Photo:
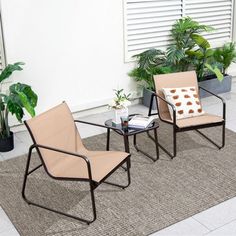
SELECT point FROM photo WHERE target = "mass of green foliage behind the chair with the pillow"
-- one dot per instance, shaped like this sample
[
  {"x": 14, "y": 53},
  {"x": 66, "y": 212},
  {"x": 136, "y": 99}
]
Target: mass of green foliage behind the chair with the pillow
[{"x": 189, "y": 51}]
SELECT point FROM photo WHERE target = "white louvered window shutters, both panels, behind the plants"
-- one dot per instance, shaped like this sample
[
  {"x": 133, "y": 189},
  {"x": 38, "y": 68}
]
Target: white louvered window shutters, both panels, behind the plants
[{"x": 147, "y": 23}]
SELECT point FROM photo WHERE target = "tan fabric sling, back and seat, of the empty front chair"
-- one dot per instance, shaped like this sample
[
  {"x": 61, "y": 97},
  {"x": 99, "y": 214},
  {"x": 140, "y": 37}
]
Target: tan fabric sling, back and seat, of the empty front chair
[{"x": 56, "y": 128}]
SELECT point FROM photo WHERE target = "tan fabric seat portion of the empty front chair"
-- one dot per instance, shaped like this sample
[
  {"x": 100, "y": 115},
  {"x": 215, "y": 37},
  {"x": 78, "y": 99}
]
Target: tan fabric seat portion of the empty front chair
[{"x": 102, "y": 163}]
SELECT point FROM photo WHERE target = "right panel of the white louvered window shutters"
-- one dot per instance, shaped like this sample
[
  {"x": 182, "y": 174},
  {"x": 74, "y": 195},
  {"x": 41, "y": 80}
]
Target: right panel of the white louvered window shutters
[{"x": 215, "y": 13}]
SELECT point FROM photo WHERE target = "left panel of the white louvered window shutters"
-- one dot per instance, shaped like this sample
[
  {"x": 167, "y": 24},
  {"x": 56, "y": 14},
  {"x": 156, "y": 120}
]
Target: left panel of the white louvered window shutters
[{"x": 147, "y": 24}]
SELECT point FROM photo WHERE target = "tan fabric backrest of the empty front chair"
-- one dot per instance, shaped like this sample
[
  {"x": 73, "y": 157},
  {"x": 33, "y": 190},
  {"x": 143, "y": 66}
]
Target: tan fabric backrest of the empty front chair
[{"x": 55, "y": 128}]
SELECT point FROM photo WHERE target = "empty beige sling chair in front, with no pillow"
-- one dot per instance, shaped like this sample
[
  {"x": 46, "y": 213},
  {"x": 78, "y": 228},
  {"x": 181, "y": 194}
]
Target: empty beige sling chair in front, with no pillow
[{"x": 64, "y": 157}]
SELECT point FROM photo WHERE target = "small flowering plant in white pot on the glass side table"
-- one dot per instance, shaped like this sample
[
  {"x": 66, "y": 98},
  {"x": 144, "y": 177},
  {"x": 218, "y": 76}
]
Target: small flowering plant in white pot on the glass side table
[{"x": 120, "y": 105}]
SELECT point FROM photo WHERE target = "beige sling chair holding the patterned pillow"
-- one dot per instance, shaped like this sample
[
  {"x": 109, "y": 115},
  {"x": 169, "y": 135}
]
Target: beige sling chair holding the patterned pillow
[{"x": 178, "y": 80}]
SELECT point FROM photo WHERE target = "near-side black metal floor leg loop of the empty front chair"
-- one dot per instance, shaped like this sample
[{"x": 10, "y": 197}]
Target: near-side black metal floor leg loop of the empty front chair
[{"x": 92, "y": 187}]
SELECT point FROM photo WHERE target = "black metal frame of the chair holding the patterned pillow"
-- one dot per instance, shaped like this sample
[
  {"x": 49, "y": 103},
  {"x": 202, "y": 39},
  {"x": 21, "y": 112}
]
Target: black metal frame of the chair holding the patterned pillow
[{"x": 177, "y": 129}]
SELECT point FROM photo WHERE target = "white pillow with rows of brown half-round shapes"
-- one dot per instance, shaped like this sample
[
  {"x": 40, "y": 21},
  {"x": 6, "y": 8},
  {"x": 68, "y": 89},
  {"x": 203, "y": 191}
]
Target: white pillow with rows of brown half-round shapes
[{"x": 185, "y": 100}]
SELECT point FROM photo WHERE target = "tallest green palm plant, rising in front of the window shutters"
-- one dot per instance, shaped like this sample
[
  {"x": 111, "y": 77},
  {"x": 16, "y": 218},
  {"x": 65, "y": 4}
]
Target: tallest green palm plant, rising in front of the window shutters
[{"x": 184, "y": 34}]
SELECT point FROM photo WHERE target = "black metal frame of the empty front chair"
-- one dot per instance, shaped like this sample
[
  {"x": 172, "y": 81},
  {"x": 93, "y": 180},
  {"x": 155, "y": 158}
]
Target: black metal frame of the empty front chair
[{"x": 93, "y": 184}]
